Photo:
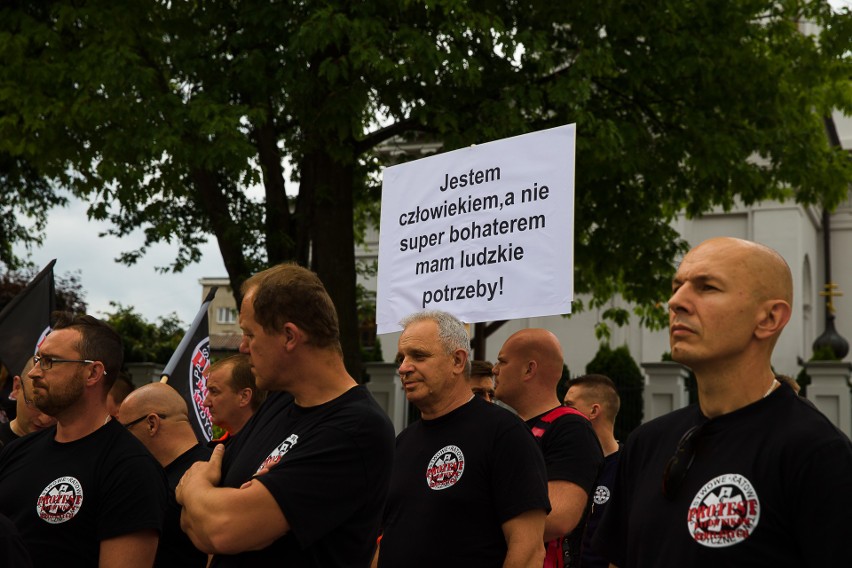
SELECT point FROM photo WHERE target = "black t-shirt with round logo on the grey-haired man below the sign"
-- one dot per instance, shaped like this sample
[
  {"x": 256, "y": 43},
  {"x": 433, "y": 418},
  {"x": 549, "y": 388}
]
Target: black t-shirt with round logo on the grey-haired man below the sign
[{"x": 456, "y": 480}]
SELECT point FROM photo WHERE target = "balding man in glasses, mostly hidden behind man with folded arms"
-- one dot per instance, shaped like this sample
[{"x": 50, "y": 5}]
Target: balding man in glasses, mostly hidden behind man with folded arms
[{"x": 157, "y": 415}]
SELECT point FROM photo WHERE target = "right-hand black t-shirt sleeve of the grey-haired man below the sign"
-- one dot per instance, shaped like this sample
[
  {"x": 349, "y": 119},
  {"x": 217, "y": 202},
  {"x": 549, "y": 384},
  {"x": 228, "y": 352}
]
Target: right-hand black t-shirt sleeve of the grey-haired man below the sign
[{"x": 519, "y": 477}]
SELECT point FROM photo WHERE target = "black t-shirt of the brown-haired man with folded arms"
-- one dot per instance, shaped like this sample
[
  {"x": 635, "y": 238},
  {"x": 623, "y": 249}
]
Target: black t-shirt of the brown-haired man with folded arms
[{"x": 330, "y": 466}]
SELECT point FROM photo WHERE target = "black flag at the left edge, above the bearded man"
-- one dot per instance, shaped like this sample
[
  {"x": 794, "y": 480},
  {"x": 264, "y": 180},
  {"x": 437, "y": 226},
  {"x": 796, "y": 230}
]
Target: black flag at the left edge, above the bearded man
[{"x": 25, "y": 320}]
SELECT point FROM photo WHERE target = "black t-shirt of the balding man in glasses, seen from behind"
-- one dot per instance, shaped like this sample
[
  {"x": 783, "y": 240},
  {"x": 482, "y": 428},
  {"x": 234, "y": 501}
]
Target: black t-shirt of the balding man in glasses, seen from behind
[{"x": 176, "y": 549}]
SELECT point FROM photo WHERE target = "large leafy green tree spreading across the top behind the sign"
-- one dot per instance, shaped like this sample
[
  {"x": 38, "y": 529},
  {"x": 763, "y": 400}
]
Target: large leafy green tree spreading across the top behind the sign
[{"x": 172, "y": 109}]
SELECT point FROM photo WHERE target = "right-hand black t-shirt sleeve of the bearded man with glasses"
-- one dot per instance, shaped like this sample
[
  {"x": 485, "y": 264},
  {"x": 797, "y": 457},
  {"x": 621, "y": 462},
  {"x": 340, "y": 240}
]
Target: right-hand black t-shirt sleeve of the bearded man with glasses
[{"x": 133, "y": 497}]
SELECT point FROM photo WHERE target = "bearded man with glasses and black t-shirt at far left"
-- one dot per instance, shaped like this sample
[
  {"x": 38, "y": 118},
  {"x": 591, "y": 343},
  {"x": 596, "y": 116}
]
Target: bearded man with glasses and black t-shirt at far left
[{"x": 83, "y": 491}]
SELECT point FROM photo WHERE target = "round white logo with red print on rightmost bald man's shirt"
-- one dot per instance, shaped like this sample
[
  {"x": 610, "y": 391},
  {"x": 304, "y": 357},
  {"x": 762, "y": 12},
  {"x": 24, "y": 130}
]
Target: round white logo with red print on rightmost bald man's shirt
[{"x": 724, "y": 512}]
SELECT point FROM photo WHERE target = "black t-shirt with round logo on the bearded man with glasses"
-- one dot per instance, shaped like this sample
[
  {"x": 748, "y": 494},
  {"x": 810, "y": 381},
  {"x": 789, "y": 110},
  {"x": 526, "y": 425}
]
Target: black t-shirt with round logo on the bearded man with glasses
[{"x": 67, "y": 497}]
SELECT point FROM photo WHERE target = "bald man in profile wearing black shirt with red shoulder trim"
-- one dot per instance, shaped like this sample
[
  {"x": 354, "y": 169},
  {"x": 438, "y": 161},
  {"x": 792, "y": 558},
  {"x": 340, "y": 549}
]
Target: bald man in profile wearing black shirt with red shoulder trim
[{"x": 526, "y": 373}]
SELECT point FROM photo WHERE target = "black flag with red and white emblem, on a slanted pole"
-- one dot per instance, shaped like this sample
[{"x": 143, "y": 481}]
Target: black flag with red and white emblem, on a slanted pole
[{"x": 187, "y": 371}]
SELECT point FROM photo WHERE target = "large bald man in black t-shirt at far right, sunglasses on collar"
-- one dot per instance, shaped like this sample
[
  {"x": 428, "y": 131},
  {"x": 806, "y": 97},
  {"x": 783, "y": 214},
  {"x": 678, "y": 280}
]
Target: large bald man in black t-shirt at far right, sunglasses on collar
[{"x": 752, "y": 475}]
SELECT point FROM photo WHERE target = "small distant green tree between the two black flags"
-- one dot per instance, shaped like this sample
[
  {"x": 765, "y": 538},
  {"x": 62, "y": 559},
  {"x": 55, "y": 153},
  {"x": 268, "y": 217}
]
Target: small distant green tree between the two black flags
[{"x": 145, "y": 341}]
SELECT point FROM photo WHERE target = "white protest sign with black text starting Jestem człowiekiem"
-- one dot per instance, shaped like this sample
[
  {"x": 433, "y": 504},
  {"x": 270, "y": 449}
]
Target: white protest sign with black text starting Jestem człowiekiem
[{"x": 484, "y": 233}]
